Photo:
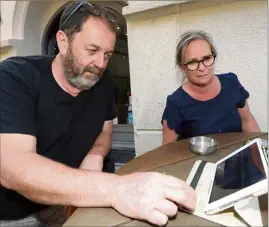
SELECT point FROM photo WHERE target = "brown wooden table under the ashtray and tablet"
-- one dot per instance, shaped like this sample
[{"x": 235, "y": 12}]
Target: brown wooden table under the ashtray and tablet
[{"x": 173, "y": 159}]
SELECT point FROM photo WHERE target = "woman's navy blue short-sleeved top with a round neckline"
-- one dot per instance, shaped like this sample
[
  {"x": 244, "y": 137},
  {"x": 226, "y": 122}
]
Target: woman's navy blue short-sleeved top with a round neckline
[{"x": 190, "y": 117}]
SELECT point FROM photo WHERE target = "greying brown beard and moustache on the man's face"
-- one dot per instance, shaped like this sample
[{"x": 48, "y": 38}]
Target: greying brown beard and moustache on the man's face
[{"x": 75, "y": 73}]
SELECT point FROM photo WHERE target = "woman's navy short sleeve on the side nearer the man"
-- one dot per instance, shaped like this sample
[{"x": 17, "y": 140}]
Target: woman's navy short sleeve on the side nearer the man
[{"x": 173, "y": 116}]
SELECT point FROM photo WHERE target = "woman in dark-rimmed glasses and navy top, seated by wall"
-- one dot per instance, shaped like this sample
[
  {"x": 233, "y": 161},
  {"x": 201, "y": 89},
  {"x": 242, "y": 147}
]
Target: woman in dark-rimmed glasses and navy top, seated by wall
[{"x": 206, "y": 103}]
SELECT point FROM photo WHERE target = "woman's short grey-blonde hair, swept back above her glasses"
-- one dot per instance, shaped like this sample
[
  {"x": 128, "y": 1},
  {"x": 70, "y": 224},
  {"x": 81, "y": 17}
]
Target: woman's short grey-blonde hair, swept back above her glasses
[{"x": 188, "y": 37}]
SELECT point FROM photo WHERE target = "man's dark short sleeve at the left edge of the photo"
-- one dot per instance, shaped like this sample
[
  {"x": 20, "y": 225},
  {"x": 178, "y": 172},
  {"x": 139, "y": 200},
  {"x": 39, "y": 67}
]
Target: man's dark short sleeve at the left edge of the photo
[{"x": 17, "y": 104}]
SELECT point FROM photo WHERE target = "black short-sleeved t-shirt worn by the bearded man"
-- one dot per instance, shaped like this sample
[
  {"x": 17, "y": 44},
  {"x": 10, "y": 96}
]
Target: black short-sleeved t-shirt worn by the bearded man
[{"x": 66, "y": 127}]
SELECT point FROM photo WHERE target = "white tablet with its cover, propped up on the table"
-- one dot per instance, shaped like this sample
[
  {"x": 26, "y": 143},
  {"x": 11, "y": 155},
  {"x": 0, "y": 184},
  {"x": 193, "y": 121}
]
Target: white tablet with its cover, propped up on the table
[{"x": 240, "y": 175}]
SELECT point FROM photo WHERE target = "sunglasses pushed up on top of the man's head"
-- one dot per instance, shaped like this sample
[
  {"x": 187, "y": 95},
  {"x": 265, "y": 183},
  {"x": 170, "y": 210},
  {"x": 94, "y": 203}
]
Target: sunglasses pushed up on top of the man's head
[{"x": 95, "y": 10}]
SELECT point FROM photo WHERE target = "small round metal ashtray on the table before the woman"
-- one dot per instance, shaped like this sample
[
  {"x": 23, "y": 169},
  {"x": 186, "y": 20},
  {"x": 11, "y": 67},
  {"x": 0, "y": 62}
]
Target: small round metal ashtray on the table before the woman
[{"x": 202, "y": 145}]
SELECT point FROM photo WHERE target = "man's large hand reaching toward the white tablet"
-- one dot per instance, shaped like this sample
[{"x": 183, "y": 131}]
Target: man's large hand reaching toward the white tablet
[{"x": 152, "y": 196}]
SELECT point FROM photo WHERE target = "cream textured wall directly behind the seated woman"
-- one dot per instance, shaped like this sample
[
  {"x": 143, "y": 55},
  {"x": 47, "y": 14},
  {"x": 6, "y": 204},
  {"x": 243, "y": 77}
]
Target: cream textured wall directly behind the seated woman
[{"x": 240, "y": 33}]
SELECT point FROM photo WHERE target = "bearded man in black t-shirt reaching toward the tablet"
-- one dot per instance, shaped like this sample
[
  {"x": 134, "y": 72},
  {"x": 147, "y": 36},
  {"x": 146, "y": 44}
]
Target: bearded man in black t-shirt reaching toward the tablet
[{"x": 56, "y": 126}]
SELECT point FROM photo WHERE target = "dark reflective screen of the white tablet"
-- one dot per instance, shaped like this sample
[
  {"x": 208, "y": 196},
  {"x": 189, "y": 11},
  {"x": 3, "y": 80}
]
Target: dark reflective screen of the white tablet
[{"x": 237, "y": 172}]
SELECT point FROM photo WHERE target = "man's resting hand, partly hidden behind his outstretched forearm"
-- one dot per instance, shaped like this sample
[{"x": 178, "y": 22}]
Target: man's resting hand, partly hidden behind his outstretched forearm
[{"x": 93, "y": 162}]
